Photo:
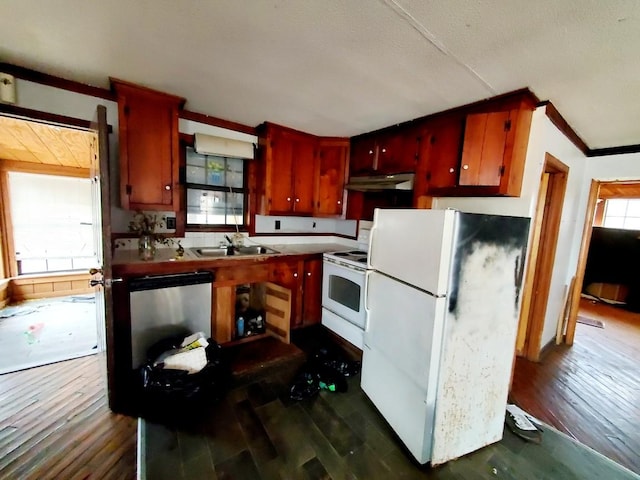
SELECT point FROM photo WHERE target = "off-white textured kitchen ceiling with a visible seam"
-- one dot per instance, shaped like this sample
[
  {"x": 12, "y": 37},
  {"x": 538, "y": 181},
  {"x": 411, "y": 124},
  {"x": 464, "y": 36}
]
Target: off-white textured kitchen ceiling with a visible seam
[{"x": 336, "y": 67}]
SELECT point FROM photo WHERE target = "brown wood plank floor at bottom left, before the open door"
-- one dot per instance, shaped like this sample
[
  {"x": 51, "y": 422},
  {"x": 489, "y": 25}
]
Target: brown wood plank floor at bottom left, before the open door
[{"x": 55, "y": 424}]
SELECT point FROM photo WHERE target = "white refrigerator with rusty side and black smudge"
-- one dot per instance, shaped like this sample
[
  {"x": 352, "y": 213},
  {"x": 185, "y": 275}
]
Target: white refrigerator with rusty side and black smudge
[{"x": 443, "y": 299}]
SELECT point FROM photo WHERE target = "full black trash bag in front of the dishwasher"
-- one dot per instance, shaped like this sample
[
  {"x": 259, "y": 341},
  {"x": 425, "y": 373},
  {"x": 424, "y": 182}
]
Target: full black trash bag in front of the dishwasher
[{"x": 170, "y": 392}]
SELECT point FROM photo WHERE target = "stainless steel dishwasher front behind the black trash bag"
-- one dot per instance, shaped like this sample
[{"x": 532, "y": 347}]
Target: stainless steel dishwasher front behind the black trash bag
[{"x": 168, "y": 305}]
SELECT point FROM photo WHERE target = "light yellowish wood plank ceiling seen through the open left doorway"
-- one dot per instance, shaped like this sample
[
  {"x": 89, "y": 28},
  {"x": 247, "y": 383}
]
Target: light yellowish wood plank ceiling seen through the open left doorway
[{"x": 34, "y": 142}]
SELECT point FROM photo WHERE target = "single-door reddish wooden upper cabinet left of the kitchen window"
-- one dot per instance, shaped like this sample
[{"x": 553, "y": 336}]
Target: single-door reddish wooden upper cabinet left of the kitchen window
[{"x": 149, "y": 147}]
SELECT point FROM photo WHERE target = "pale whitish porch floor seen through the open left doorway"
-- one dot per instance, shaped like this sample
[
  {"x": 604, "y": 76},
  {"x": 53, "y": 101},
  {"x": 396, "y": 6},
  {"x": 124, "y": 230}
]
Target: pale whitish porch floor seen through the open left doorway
[{"x": 39, "y": 332}]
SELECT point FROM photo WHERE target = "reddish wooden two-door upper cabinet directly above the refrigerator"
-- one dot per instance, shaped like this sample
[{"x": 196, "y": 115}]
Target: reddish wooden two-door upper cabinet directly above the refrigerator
[{"x": 475, "y": 152}]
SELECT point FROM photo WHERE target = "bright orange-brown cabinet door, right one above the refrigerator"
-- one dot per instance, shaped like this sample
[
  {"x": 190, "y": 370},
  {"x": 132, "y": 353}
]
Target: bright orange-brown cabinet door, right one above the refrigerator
[{"x": 485, "y": 137}]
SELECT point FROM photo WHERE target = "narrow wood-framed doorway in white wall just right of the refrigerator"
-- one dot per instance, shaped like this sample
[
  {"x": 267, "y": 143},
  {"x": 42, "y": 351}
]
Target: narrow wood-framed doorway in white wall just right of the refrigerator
[{"x": 544, "y": 237}]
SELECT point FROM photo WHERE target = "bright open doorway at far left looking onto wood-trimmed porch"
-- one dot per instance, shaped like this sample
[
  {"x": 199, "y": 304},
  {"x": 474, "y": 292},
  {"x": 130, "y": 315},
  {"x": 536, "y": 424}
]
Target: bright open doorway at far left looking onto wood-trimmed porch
[{"x": 46, "y": 228}]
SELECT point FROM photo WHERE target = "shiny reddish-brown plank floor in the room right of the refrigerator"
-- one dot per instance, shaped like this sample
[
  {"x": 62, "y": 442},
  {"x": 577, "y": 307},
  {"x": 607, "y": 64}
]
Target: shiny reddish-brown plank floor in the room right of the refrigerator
[{"x": 591, "y": 390}]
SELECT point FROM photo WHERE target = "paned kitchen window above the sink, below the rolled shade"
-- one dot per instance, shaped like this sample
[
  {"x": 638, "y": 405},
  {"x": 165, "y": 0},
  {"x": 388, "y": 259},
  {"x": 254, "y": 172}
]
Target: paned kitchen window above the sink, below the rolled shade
[{"x": 215, "y": 189}]
